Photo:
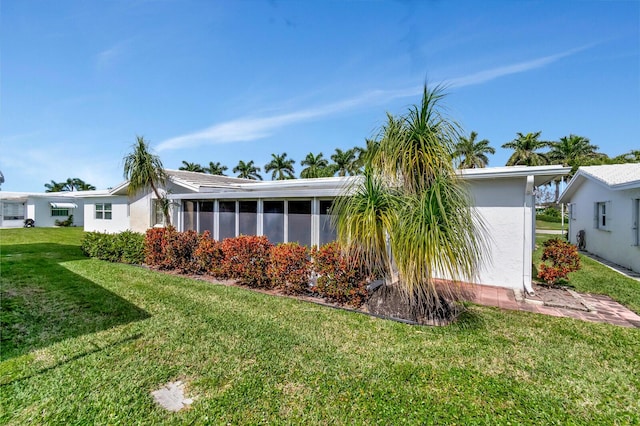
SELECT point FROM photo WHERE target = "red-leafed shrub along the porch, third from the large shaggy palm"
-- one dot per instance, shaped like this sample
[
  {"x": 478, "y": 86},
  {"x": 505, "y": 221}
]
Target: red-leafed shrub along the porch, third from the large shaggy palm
[{"x": 246, "y": 258}]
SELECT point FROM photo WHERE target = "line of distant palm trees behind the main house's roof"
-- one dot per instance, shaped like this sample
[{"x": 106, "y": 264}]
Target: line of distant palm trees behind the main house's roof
[{"x": 467, "y": 153}]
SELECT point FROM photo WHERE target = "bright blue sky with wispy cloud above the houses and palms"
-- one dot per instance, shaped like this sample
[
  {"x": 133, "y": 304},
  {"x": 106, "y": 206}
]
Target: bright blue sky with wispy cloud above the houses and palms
[{"x": 238, "y": 80}]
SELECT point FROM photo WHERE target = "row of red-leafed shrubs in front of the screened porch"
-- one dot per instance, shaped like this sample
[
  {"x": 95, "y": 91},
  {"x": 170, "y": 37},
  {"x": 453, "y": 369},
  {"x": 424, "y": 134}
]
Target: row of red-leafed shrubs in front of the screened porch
[{"x": 254, "y": 261}]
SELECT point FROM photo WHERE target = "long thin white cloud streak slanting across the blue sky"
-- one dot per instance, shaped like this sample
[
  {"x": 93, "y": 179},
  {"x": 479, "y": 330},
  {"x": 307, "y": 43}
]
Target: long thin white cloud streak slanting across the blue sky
[{"x": 252, "y": 128}]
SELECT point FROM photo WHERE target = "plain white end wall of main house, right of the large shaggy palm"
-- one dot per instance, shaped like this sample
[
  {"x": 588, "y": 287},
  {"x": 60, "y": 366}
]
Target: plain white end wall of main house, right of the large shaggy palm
[{"x": 501, "y": 204}]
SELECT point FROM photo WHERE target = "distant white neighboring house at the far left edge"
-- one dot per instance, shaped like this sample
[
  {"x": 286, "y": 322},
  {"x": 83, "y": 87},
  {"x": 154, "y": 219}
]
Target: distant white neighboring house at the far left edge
[{"x": 44, "y": 208}]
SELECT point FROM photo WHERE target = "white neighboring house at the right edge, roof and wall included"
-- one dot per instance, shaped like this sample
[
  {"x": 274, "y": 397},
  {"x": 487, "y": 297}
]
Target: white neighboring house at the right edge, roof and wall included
[{"x": 604, "y": 202}]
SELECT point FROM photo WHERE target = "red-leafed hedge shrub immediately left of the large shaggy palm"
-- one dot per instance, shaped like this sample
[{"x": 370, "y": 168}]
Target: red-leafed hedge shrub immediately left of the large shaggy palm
[{"x": 341, "y": 278}]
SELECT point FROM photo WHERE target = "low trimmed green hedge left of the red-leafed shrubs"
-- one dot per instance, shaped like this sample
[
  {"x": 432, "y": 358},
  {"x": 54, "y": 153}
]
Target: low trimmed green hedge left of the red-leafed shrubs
[{"x": 125, "y": 247}]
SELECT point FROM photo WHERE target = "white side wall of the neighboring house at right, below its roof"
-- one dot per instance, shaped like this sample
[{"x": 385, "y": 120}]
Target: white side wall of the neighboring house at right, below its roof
[{"x": 615, "y": 244}]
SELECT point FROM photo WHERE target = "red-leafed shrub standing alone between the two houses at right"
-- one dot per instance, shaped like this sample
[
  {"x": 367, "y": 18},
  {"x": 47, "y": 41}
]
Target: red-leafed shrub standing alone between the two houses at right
[{"x": 564, "y": 258}]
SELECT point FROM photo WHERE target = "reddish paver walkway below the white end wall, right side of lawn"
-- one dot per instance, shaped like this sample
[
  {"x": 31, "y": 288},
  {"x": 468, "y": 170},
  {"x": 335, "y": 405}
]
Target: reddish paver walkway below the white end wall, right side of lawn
[{"x": 604, "y": 309}]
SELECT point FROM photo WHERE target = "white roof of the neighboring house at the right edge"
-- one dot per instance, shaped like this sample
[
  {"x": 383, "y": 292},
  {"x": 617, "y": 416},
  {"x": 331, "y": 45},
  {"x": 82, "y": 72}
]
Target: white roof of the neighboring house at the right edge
[{"x": 615, "y": 177}]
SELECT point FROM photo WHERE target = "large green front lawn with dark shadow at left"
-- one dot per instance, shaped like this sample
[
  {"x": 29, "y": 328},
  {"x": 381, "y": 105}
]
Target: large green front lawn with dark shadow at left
[{"x": 118, "y": 332}]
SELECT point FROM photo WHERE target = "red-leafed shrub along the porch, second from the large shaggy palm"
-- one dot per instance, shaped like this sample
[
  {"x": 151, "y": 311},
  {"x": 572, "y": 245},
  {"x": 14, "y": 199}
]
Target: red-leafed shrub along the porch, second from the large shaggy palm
[{"x": 290, "y": 267}]
